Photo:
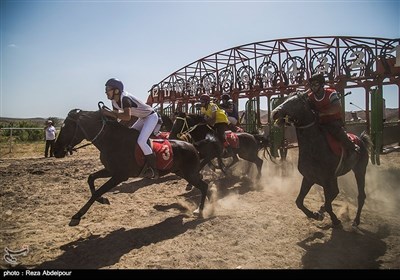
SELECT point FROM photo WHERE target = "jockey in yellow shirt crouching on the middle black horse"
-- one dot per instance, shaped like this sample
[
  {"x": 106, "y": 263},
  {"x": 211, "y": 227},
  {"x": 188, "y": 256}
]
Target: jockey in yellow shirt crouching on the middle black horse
[{"x": 214, "y": 116}]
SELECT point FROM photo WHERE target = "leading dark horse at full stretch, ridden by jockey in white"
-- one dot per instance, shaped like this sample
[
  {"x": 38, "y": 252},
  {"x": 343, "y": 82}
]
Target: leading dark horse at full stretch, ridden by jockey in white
[{"x": 117, "y": 145}]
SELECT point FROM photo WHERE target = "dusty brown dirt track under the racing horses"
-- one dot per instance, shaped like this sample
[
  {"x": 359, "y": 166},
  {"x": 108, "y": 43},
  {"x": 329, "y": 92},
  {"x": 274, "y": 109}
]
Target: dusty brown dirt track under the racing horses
[{"x": 149, "y": 224}]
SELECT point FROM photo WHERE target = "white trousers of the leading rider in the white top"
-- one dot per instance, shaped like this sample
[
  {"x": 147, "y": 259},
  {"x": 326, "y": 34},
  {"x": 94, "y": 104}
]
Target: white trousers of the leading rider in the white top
[{"x": 145, "y": 126}]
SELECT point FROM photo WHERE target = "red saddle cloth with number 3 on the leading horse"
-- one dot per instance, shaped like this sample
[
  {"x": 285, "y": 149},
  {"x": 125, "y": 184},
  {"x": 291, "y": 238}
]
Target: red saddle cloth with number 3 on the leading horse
[{"x": 163, "y": 151}]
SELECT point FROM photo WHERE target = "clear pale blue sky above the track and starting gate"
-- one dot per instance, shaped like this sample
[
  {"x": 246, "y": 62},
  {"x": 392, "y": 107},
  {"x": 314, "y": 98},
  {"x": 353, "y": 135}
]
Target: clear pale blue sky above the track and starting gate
[{"x": 57, "y": 55}]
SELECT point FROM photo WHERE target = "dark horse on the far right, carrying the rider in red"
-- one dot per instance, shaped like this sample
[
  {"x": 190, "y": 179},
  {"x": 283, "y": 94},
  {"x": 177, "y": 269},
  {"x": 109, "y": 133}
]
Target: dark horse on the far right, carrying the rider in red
[{"x": 317, "y": 162}]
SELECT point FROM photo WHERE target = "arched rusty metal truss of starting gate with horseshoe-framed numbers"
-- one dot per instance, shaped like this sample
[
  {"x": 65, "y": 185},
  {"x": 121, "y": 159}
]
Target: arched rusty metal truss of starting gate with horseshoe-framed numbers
[{"x": 278, "y": 67}]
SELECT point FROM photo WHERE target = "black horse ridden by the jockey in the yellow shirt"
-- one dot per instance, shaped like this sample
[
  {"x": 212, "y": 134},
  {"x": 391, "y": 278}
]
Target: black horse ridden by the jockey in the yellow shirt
[{"x": 197, "y": 128}]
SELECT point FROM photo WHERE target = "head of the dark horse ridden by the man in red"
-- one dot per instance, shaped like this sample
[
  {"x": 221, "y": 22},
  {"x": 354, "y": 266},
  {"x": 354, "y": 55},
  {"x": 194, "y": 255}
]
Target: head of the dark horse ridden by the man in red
[{"x": 294, "y": 110}]
